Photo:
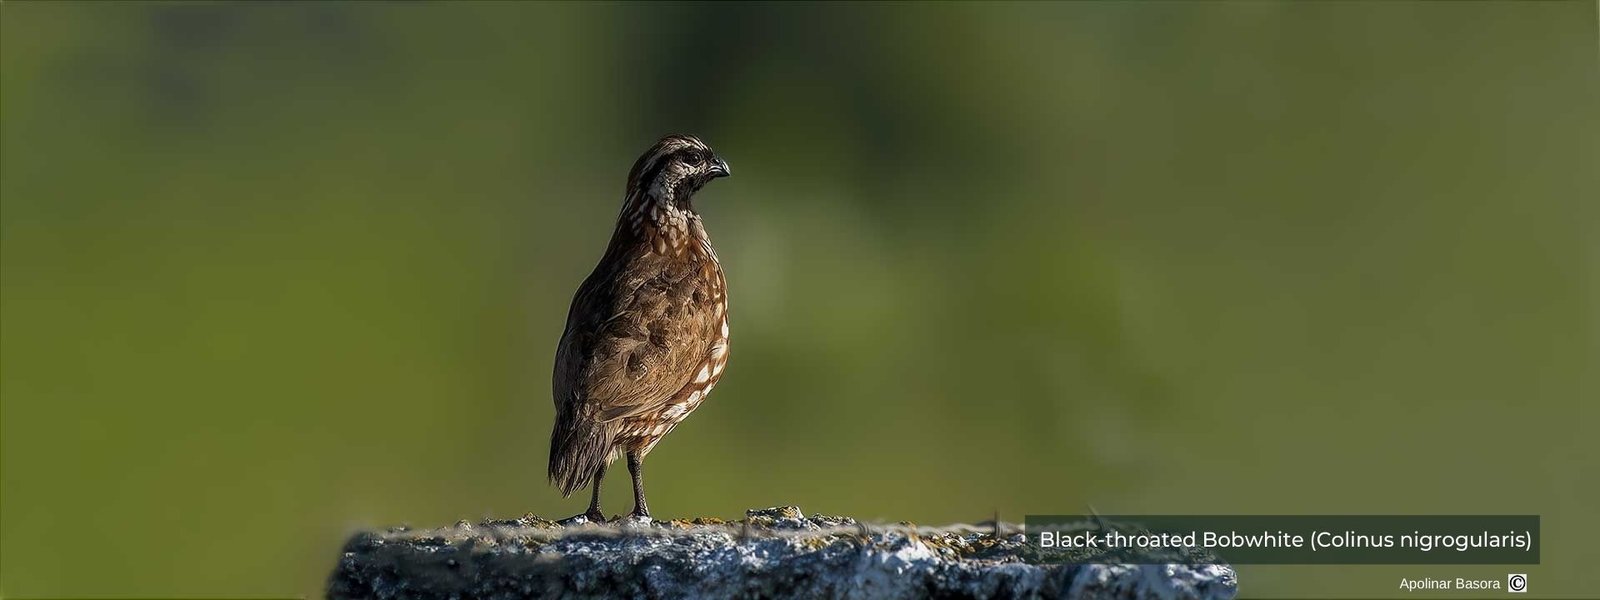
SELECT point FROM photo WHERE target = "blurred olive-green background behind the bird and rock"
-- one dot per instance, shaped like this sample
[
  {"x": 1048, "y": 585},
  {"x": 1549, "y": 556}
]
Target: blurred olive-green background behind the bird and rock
[{"x": 279, "y": 273}]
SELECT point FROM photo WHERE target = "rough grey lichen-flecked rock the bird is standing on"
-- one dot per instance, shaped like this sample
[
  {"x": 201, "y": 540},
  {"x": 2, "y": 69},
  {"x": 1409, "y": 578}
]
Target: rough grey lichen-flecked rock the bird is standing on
[{"x": 770, "y": 554}]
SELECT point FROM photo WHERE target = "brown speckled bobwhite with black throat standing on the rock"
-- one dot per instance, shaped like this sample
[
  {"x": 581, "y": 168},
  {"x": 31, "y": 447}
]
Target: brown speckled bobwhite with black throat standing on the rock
[{"x": 647, "y": 332}]
